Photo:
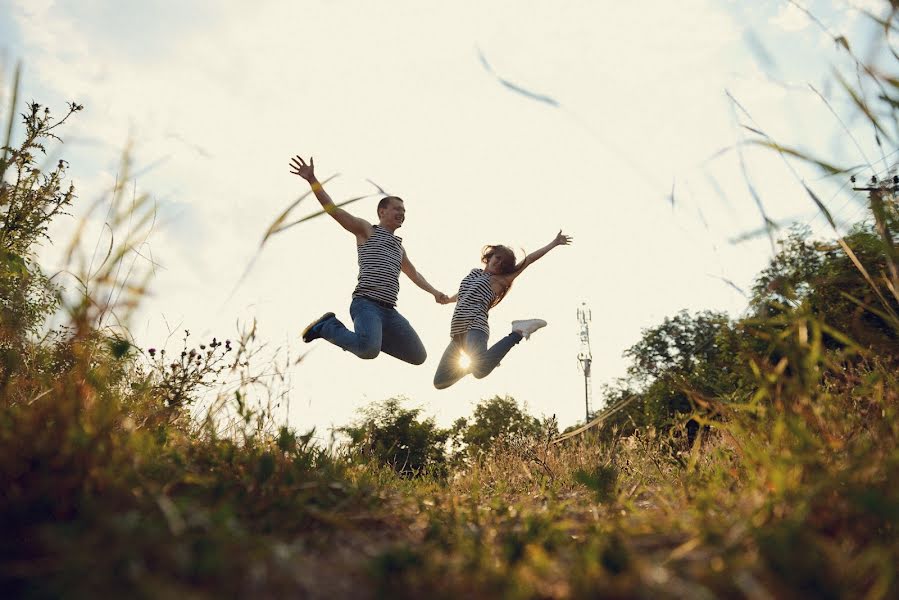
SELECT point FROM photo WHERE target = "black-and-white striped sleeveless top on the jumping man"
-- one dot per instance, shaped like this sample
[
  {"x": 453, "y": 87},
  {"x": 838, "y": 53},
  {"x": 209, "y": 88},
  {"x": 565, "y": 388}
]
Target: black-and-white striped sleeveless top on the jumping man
[{"x": 380, "y": 258}]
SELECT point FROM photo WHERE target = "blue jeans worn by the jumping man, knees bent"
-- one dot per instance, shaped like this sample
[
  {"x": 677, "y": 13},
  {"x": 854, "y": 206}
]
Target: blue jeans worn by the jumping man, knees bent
[{"x": 378, "y": 328}]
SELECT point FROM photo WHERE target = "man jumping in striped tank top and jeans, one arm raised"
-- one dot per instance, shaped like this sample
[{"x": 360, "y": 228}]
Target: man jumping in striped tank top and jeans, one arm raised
[{"x": 378, "y": 325}]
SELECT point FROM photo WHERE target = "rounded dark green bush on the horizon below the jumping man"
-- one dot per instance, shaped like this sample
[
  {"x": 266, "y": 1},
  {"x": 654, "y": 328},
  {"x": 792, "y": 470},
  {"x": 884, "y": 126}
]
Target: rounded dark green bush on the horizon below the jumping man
[{"x": 395, "y": 436}]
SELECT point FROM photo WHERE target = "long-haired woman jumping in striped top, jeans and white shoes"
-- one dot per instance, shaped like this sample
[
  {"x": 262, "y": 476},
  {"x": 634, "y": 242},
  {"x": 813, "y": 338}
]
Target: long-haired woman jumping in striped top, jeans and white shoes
[{"x": 481, "y": 290}]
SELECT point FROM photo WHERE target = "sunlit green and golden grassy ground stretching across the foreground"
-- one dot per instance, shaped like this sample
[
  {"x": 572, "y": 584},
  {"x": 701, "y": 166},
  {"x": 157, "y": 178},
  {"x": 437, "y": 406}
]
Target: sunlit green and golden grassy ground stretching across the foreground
[{"x": 787, "y": 497}]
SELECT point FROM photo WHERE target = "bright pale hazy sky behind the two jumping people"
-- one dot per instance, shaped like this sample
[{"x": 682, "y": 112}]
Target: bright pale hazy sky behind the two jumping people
[{"x": 218, "y": 97}]
